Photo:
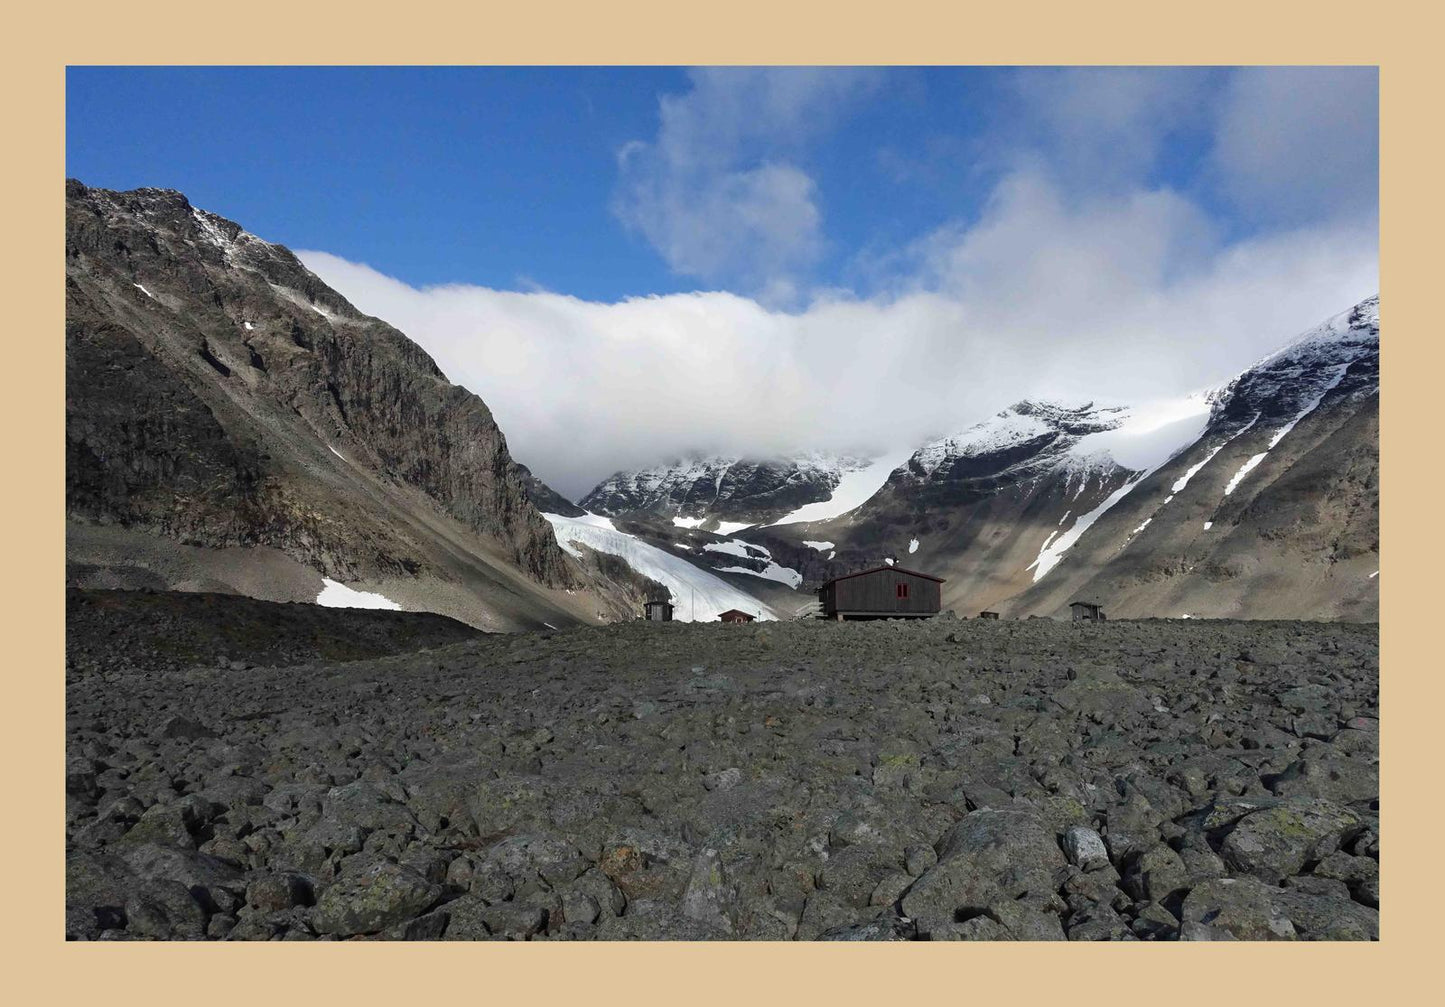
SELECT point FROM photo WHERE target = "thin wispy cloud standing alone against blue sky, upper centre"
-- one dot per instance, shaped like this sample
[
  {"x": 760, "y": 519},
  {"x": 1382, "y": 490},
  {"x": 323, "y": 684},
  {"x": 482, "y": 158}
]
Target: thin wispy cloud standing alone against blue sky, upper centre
[{"x": 720, "y": 193}]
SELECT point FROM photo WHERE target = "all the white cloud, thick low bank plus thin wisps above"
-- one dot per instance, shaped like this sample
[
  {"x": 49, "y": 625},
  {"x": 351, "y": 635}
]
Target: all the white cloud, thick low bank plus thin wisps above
[{"x": 1079, "y": 280}]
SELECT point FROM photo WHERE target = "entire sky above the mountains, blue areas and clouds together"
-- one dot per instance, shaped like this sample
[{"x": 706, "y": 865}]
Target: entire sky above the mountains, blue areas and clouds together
[{"x": 833, "y": 228}]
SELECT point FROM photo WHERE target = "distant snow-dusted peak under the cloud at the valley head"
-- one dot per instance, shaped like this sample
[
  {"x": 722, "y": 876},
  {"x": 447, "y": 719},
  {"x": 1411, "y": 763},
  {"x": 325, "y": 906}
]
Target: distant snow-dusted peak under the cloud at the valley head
[{"x": 723, "y": 492}]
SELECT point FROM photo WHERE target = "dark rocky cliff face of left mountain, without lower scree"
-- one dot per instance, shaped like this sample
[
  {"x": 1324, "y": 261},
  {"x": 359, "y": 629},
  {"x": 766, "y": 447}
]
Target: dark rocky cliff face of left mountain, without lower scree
[{"x": 206, "y": 371}]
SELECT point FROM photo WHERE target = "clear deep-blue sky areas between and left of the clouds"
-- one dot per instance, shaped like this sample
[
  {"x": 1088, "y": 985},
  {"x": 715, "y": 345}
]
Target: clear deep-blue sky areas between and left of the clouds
[{"x": 509, "y": 177}]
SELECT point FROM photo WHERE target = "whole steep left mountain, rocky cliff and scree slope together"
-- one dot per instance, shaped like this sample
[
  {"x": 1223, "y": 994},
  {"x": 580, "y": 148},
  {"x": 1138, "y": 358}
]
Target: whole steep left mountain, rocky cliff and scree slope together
[{"x": 233, "y": 424}]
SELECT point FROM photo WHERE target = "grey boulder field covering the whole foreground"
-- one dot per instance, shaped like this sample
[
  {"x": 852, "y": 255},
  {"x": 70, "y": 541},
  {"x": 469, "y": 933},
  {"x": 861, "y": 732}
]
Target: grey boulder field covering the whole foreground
[{"x": 933, "y": 781}]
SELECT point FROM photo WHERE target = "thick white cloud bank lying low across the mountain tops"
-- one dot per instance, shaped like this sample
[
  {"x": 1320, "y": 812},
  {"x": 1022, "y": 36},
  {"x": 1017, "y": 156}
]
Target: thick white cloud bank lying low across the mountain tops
[{"x": 1113, "y": 300}]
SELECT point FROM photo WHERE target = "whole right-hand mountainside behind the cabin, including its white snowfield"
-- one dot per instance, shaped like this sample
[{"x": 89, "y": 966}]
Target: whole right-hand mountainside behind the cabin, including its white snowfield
[{"x": 1254, "y": 499}]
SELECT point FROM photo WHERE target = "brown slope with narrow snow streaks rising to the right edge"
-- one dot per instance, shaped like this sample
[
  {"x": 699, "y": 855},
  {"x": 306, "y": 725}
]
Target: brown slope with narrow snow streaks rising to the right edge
[{"x": 1274, "y": 512}]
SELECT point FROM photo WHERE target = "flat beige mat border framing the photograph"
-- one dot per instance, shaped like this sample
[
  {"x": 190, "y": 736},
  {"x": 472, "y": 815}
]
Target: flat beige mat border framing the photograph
[{"x": 46, "y": 38}]
